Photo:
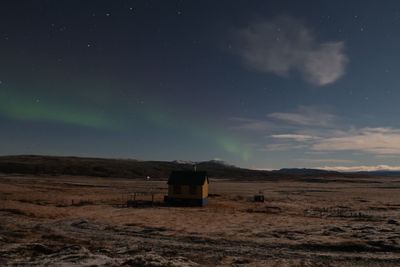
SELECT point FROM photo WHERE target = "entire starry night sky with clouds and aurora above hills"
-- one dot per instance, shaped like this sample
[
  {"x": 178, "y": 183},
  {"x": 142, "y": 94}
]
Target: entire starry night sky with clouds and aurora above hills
[{"x": 258, "y": 84}]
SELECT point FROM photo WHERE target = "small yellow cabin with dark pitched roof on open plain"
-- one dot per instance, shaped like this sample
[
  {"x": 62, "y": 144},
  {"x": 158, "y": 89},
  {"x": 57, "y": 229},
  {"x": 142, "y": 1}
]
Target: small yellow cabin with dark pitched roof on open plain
[{"x": 188, "y": 188}]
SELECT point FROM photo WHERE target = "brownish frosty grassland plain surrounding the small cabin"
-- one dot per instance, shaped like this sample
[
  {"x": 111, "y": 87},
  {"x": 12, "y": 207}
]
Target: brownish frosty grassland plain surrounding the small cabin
[{"x": 78, "y": 221}]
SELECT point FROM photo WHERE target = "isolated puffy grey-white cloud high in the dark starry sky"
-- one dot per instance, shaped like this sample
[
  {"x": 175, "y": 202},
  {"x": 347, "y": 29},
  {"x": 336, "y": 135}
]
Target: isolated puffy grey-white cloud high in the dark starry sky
[{"x": 285, "y": 44}]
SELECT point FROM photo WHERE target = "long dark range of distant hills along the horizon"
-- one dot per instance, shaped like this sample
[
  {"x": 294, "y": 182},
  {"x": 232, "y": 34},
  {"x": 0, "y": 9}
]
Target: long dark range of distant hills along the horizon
[{"x": 134, "y": 169}]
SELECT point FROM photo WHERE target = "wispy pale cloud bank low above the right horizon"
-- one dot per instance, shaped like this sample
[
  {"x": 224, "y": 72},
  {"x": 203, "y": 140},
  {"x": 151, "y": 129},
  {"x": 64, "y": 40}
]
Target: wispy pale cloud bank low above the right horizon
[{"x": 316, "y": 132}]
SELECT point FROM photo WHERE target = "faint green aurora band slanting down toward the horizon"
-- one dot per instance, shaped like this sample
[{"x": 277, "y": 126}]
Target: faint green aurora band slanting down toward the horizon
[{"x": 27, "y": 108}]
